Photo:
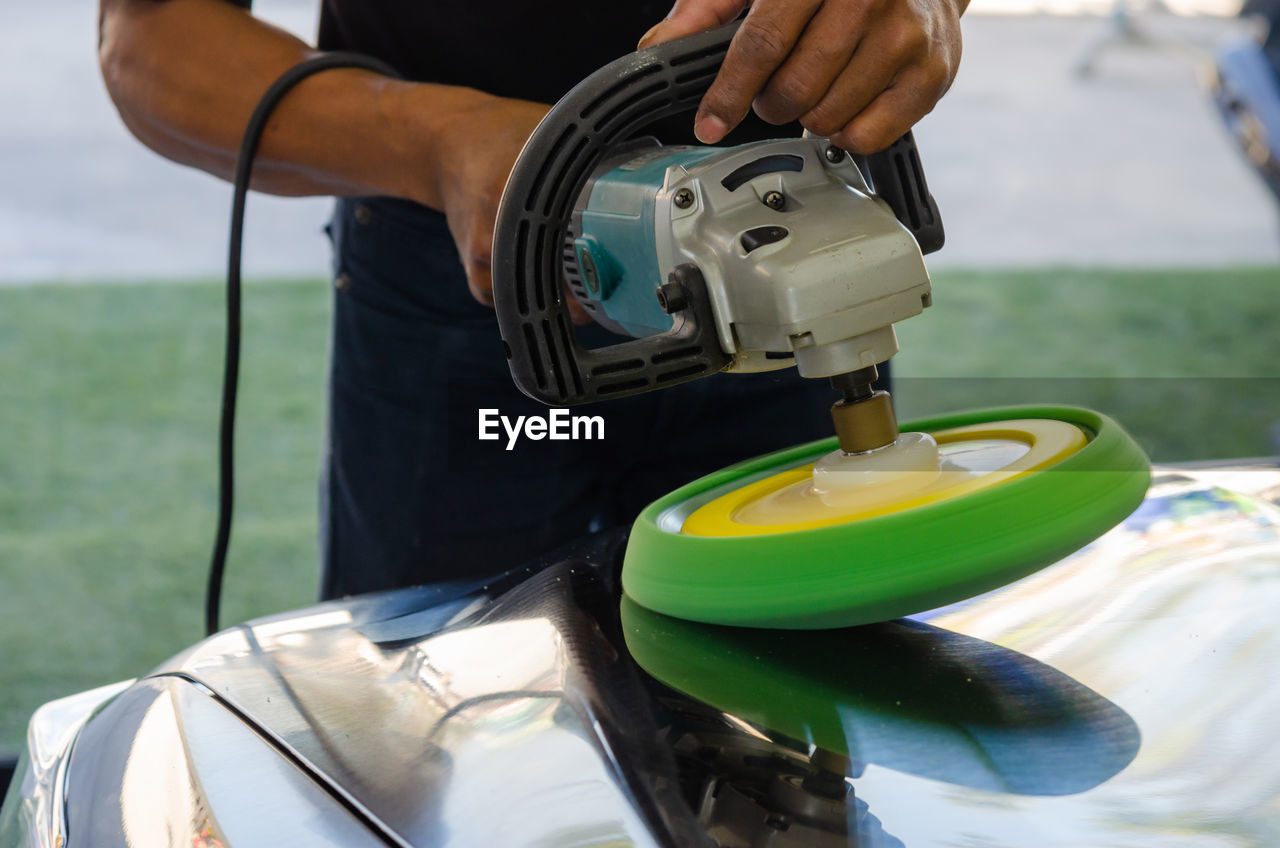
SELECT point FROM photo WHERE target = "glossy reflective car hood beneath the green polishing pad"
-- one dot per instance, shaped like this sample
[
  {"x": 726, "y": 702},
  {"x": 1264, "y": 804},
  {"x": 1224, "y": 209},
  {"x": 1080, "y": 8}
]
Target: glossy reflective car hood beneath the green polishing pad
[{"x": 1122, "y": 697}]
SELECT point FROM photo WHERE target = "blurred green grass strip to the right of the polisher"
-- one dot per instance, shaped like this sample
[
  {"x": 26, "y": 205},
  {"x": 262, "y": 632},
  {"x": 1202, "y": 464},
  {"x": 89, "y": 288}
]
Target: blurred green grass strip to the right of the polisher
[{"x": 1187, "y": 361}]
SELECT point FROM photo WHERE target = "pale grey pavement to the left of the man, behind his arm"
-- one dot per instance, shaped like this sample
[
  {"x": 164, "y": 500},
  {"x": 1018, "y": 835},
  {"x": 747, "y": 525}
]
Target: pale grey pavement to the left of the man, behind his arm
[{"x": 81, "y": 199}]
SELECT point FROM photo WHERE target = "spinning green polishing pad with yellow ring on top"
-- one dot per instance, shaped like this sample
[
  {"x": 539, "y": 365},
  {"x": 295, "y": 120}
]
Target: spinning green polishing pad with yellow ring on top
[{"x": 883, "y": 564}]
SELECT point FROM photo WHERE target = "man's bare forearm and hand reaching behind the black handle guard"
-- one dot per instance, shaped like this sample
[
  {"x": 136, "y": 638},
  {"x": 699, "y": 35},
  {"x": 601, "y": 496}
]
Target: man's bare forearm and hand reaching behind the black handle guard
[{"x": 342, "y": 133}]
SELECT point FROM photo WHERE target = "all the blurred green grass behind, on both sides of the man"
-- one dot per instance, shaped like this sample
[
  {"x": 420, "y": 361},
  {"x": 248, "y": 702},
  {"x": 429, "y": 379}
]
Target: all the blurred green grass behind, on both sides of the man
[{"x": 108, "y": 425}]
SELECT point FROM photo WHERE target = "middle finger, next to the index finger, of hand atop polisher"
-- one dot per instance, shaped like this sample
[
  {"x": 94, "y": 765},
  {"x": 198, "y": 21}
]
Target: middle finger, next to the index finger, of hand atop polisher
[{"x": 817, "y": 62}]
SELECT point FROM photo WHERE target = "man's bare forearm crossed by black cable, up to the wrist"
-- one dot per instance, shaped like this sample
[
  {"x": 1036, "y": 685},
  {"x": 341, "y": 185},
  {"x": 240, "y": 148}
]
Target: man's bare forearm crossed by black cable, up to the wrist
[{"x": 186, "y": 76}]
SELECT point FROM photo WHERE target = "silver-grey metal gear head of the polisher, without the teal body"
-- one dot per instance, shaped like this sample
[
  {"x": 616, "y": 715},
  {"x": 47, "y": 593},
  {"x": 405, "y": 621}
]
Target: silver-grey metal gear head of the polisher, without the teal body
[{"x": 799, "y": 257}]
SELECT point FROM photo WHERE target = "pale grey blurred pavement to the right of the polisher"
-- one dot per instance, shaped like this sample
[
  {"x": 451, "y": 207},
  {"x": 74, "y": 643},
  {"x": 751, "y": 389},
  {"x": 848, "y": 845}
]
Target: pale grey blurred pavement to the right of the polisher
[{"x": 1034, "y": 166}]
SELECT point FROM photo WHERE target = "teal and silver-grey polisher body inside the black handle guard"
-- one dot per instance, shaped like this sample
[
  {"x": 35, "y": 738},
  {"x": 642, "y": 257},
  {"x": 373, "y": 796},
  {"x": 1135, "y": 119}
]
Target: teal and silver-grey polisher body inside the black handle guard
[{"x": 803, "y": 263}]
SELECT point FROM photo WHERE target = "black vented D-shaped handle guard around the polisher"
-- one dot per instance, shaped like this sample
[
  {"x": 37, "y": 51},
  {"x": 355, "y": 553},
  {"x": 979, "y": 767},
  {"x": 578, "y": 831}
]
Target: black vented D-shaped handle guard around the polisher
[{"x": 595, "y": 118}]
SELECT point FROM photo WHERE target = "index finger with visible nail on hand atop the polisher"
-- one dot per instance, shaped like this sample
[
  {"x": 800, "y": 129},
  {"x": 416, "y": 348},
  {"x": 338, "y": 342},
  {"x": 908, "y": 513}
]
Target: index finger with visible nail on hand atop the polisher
[{"x": 761, "y": 45}]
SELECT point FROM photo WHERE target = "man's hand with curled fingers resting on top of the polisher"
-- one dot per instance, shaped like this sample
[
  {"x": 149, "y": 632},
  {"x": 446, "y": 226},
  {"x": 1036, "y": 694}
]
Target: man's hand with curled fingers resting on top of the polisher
[{"x": 860, "y": 72}]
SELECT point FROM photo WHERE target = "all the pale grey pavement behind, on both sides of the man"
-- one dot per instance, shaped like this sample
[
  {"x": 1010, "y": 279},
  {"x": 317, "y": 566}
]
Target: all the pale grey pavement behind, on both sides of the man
[{"x": 1032, "y": 166}]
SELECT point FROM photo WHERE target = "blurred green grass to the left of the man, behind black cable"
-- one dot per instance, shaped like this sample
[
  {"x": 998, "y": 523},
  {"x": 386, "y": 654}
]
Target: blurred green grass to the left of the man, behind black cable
[{"x": 108, "y": 455}]
